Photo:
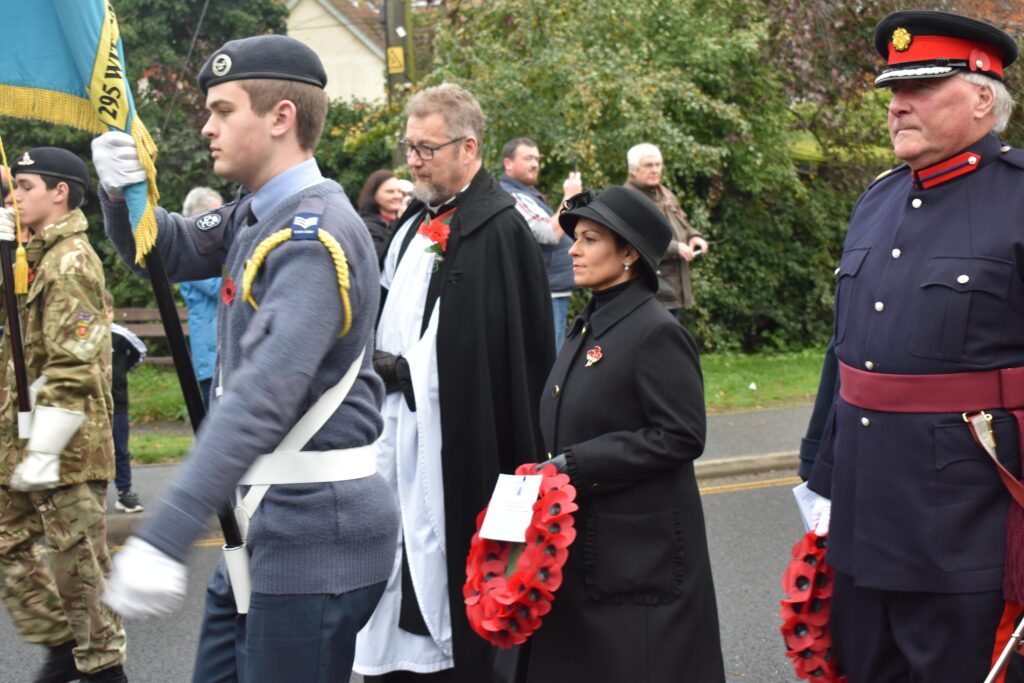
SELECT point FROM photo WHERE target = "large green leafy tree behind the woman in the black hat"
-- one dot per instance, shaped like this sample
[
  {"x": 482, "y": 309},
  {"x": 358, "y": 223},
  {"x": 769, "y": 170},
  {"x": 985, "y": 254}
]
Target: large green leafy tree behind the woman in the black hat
[{"x": 692, "y": 77}]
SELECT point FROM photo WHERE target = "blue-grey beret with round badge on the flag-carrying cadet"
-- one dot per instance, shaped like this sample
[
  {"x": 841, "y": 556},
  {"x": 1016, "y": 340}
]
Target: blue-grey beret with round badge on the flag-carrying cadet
[{"x": 274, "y": 58}]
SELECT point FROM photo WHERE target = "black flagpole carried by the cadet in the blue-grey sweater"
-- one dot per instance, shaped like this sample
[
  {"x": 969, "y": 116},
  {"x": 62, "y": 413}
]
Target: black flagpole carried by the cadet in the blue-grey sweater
[{"x": 187, "y": 376}]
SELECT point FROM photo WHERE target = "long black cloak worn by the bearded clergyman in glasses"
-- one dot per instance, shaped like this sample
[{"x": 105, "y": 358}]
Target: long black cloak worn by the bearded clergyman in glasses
[{"x": 495, "y": 348}]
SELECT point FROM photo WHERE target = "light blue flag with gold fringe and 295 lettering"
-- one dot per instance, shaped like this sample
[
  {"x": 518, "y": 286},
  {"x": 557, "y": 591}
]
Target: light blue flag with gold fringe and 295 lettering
[{"x": 64, "y": 63}]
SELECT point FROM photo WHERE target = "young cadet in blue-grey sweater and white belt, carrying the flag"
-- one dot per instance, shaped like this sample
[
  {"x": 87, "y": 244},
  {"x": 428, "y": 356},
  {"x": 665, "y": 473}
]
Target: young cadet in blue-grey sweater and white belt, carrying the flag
[{"x": 301, "y": 319}]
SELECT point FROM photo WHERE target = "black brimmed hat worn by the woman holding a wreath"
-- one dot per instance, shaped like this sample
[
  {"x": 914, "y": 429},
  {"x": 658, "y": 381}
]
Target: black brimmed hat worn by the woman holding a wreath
[{"x": 630, "y": 216}]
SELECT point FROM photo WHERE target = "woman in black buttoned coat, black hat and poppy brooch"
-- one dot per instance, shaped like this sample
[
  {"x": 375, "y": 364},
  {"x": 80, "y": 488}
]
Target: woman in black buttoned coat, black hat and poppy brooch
[{"x": 623, "y": 414}]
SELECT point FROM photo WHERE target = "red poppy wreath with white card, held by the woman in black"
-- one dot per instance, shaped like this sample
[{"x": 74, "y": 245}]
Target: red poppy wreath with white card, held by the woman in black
[{"x": 510, "y": 586}]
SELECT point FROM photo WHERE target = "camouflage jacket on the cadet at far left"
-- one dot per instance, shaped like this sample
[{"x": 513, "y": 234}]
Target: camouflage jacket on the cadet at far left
[{"x": 67, "y": 337}]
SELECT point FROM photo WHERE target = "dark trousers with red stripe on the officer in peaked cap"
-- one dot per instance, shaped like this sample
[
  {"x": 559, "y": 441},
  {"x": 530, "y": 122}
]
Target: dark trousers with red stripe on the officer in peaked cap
[{"x": 903, "y": 637}]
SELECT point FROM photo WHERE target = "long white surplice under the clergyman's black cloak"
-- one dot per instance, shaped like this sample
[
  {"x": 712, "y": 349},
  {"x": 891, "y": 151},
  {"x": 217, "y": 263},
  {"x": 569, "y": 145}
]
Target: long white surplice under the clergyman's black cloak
[{"x": 409, "y": 457}]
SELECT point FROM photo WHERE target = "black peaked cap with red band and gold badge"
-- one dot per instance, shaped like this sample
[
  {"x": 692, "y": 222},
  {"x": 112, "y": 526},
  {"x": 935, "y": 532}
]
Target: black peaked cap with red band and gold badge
[{"x": 933, "y": 45}]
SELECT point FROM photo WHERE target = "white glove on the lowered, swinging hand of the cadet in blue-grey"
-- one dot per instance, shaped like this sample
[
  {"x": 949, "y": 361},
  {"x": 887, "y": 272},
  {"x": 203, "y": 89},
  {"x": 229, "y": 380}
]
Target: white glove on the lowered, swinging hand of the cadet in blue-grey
[{"x": 145, "y": 582}]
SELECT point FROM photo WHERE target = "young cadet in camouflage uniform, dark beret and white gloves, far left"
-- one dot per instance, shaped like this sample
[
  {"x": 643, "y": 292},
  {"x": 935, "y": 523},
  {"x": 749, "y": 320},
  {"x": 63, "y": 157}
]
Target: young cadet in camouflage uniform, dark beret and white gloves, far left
[{"x": 54, "y": 485}]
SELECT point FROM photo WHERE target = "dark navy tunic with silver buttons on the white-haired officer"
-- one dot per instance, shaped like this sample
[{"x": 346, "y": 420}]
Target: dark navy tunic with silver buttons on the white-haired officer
[{"x": 930, "y": 282}]
